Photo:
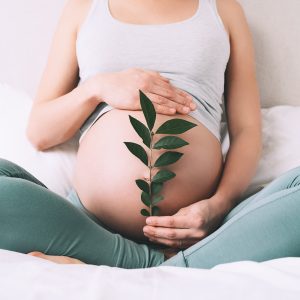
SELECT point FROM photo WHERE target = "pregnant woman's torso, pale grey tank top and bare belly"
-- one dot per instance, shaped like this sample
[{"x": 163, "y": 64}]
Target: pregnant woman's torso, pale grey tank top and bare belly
[{"x": 193, "y": 54}]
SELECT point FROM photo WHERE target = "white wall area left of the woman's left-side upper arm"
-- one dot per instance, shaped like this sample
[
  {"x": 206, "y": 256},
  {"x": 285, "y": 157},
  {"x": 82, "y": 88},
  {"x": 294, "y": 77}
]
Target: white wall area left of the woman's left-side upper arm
[{"x": 26, "y": 28}]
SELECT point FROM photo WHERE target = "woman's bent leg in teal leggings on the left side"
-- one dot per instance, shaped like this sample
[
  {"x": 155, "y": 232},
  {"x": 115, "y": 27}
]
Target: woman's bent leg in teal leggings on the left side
[{"x": 33, "y": 218}]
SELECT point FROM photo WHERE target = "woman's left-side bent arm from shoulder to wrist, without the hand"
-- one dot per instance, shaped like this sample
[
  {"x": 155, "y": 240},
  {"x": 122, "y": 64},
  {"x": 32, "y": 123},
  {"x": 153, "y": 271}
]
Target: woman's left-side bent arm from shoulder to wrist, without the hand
[{"x": 59, "y": 106}]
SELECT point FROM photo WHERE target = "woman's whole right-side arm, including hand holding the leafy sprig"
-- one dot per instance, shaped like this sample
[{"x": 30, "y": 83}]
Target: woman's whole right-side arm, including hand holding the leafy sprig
[{"x": 195, "y": 222}]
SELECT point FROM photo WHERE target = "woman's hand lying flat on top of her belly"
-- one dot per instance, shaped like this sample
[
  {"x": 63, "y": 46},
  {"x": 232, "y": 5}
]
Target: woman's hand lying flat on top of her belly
[{"x": 120, "y": 90}]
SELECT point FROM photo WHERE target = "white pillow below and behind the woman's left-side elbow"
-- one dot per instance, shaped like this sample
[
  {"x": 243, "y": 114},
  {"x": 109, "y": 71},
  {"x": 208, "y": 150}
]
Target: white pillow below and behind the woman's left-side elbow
[{"x": 53, "y": 167}]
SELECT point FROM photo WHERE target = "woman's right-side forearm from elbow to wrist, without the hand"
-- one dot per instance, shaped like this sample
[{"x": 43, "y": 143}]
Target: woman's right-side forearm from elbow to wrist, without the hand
[{"x": 240, "y": 166}]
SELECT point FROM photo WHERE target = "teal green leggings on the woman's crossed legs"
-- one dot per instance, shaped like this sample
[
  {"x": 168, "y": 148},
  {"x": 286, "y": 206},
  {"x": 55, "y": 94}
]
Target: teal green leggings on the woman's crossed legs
[{"x": 32, "y": 218}]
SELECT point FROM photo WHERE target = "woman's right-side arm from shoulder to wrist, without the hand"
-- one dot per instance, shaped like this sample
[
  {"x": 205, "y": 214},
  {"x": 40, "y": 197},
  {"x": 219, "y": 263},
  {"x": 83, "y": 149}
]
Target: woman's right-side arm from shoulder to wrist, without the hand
[{"x": 242, "y": 110}]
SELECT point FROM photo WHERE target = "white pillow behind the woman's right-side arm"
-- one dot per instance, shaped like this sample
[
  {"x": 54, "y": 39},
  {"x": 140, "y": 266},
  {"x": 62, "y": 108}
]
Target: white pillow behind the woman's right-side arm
[{"x": 281, "y": 145}]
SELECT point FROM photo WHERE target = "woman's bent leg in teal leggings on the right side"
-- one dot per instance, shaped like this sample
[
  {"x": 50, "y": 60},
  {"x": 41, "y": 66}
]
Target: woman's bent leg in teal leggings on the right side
[{"x": 263, "y": 227}]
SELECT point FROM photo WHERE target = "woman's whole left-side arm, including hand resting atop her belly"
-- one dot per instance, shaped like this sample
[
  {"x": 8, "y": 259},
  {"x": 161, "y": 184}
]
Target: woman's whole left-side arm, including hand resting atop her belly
[{"x": 60, "y": 106}]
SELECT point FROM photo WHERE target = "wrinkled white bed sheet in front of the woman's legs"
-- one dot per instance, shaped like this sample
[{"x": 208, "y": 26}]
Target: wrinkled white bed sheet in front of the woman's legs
[{"x": 25, "y": 277}]
